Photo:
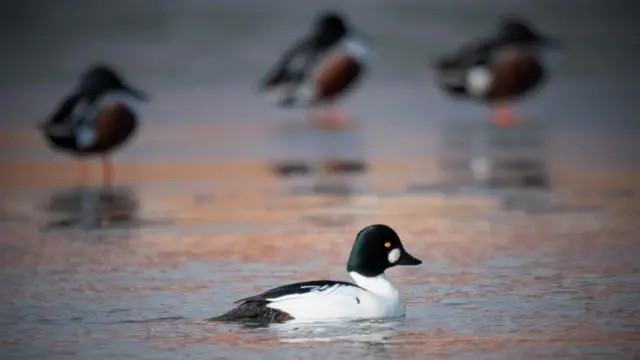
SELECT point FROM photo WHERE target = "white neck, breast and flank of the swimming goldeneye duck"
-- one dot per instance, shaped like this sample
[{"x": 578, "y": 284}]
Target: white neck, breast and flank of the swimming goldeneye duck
[{"x": 376, "y": 299}]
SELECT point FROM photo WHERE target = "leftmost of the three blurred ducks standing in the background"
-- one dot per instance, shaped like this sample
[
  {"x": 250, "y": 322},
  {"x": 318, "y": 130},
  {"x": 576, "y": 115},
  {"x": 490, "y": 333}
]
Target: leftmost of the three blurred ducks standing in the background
[{"x": 97, "y": 117}]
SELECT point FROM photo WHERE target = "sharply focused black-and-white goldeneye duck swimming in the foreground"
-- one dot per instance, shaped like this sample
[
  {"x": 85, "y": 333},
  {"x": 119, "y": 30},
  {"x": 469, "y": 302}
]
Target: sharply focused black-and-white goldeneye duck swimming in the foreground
[{"x": 376, "y": 248}]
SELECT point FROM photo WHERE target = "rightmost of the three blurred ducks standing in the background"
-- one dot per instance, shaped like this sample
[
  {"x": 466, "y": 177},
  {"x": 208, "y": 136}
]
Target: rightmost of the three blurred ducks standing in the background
[{"x": 498, "y": 70}]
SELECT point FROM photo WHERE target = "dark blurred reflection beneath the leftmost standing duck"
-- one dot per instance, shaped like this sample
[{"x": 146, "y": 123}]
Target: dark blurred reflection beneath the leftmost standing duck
[{"x": 90, "y": 208}]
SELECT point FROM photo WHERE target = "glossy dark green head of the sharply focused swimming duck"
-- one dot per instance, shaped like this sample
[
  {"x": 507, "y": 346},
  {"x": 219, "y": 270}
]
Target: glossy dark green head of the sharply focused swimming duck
[{"x": 377, "y": 248}]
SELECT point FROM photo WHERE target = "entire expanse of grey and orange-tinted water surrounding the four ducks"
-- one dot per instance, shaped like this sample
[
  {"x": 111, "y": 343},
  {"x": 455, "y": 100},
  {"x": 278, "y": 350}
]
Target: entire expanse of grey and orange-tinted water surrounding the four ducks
[{"x": 220, "y": 195}]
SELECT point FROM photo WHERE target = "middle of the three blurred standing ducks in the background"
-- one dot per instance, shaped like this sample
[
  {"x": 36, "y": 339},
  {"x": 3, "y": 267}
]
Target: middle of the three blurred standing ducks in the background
[{"x": 319, "y": 69}]
